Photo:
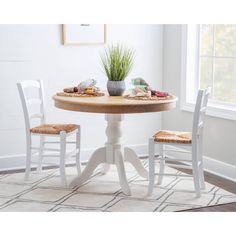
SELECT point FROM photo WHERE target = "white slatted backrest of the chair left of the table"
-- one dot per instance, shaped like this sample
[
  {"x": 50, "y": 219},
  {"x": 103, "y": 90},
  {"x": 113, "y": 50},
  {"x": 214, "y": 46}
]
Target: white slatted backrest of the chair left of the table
[{"x": 35, "y": 101}]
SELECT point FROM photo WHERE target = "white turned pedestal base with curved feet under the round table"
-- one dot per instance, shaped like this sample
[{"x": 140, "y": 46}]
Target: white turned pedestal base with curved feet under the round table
[{"x": 112, "y": 153}]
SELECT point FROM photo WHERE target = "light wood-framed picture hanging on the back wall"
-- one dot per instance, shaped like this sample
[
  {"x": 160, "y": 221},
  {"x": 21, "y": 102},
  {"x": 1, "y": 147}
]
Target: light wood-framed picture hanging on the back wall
[{"x": 83, "y": 34}]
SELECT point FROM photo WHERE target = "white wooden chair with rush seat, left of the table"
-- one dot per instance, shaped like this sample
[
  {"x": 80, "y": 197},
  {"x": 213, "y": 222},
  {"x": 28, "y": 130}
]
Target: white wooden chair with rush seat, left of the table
[{"x": 33, "y": 108}]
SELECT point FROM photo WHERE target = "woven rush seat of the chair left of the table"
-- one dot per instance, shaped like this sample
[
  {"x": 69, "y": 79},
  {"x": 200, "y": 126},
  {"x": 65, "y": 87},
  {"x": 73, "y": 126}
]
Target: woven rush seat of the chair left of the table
[{"x": 54, "y": 128}]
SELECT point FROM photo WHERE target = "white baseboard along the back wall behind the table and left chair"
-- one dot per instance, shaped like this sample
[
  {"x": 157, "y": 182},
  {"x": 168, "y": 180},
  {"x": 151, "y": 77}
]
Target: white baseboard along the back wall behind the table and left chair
[{"x": 16, "y": 162}]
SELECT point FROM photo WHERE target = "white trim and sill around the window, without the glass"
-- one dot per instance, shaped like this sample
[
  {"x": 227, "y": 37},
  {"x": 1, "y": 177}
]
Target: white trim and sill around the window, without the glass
[{"x": 190, "y": 76}]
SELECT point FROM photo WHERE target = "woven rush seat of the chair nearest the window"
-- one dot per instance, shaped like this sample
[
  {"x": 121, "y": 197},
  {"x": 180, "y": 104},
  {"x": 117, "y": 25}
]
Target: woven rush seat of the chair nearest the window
[{"x": 173, "y": 137}]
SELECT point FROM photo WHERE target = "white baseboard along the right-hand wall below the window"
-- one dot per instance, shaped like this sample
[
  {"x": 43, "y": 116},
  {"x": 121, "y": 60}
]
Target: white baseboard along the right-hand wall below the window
[{"x": 213, "y": 166}]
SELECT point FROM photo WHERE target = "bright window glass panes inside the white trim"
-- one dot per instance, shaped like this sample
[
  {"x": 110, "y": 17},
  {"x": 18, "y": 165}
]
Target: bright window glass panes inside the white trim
[{"x": 218, "y": 61}]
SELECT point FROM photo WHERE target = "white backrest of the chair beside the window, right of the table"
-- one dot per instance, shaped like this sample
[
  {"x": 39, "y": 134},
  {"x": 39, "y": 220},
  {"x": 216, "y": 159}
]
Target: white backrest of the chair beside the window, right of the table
[{"x": 199, "y": 114}]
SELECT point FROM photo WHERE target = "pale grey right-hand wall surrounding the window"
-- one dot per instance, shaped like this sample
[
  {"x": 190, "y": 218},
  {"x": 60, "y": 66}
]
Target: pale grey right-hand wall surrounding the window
[{"x": 219, "y": 134}]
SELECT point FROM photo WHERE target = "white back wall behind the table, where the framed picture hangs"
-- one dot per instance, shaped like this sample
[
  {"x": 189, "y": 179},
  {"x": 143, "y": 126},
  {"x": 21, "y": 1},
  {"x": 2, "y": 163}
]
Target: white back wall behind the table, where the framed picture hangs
[{"x": 36, "y": 52}]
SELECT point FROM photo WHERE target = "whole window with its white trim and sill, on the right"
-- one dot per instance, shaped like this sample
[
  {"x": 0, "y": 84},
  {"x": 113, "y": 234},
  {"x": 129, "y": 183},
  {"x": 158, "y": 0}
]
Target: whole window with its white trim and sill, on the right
[{"x": 209, "y": 59}]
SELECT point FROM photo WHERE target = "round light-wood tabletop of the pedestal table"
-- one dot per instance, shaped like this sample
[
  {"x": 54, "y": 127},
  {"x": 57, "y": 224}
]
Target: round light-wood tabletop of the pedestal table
[{"x": 113, "y": 104}]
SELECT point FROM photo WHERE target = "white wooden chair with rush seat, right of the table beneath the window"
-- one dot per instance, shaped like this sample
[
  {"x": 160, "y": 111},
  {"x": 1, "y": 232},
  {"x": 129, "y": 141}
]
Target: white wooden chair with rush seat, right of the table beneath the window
[{"x": 193, "y": 140}]
